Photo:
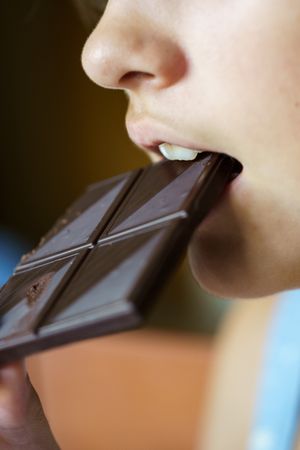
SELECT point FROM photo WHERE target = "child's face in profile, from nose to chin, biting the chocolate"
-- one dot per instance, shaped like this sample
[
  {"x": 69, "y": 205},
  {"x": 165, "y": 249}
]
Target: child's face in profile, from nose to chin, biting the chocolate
[{"x": 220, "y": 75}]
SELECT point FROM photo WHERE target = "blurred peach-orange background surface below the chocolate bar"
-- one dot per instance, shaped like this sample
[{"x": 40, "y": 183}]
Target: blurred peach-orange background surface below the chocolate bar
[{"x": 141, "y": 390}]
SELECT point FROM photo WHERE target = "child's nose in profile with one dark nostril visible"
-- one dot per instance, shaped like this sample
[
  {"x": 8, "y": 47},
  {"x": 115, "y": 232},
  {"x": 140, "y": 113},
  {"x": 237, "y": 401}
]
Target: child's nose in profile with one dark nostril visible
[{"x": 125, "y": 53}]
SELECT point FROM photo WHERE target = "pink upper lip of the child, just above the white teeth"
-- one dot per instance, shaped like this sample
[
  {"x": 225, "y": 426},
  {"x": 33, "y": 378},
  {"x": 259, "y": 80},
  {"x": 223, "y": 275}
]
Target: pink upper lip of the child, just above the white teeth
[{"x": 148, "y": 135}]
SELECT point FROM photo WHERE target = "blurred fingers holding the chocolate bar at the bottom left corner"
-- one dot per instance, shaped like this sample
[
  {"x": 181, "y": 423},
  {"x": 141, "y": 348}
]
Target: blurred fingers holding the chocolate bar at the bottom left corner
[{"x": 23, "y": 424}]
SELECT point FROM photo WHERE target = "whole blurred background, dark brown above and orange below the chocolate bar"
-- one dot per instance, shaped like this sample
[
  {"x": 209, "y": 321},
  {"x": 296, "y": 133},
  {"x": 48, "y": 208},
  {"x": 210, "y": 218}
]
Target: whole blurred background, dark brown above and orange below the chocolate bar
[{"x": 141, "y": 390}]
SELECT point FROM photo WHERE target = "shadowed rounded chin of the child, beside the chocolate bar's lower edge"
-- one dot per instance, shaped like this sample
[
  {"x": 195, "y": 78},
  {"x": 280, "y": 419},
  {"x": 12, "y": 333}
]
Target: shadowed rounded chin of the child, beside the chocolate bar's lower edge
[{"x": 224, "y": 266}]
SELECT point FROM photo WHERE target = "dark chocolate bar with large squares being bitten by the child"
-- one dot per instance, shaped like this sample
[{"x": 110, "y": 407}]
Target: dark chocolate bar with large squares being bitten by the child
[{"x": 102, "y": 264}]
